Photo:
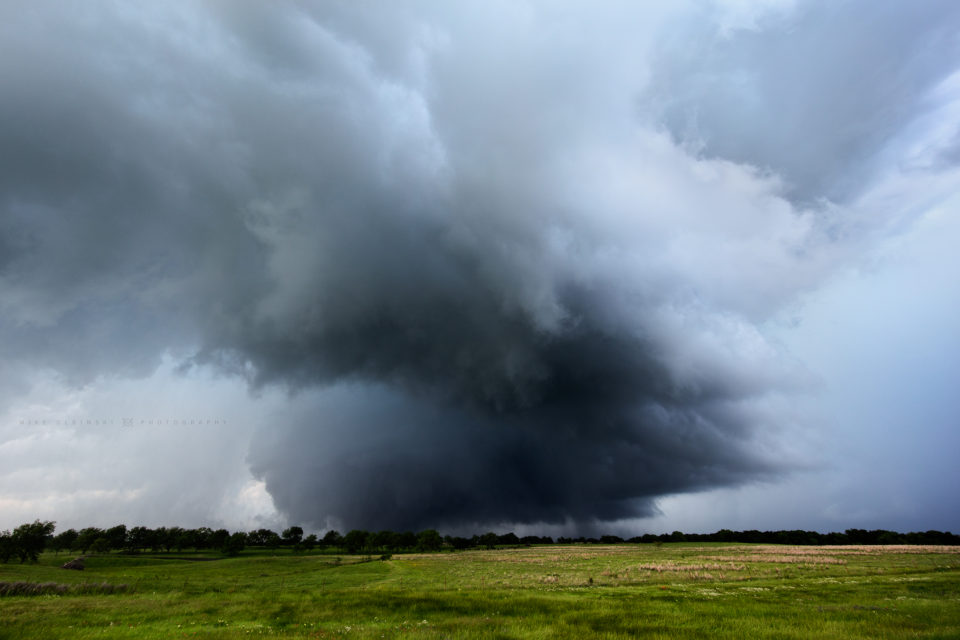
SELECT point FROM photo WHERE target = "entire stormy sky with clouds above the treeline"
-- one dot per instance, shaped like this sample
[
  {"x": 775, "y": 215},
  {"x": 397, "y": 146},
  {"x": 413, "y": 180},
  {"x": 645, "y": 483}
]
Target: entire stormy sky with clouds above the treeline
[{"x": 551, "y": 267}]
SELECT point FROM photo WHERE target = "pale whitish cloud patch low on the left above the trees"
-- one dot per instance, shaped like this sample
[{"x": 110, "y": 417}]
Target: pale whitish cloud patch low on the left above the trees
[{"x": 162, "y": 451}]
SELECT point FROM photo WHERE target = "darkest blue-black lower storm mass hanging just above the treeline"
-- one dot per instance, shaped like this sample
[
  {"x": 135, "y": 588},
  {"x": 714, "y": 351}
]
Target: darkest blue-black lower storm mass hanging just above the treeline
[{"x": 410, "y": 463}]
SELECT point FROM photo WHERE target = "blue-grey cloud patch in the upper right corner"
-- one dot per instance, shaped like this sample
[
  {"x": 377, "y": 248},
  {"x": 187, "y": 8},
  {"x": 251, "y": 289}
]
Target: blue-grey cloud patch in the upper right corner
[{"x": 813, "y": 93}]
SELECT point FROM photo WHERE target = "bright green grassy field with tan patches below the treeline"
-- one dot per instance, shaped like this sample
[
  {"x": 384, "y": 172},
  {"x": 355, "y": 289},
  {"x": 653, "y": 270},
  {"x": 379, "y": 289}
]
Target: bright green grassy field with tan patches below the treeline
[{"x": 623, "y": 591}]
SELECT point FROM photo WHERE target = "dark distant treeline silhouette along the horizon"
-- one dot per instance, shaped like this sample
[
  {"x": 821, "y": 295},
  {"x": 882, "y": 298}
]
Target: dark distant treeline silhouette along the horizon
[{"x": 27, "y": 541}]
